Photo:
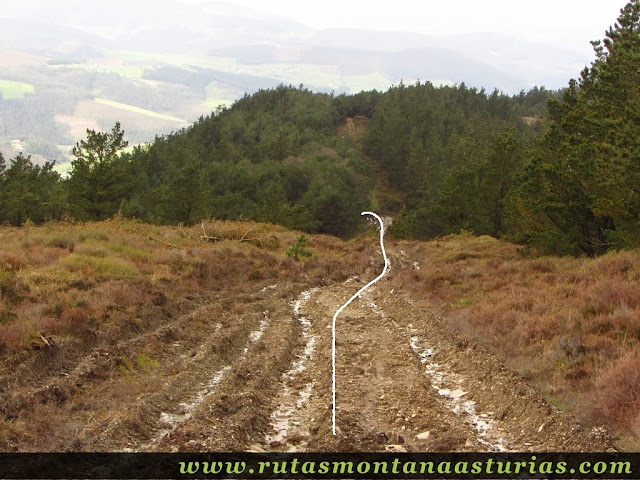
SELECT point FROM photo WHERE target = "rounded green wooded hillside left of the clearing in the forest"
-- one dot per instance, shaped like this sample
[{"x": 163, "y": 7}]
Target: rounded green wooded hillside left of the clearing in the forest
[{"x": 273, "y": 156}]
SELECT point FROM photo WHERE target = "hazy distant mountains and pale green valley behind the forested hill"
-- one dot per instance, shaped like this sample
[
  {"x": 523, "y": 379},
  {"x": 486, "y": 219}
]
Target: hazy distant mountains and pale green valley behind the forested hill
[{"x": 165, "y": 66}]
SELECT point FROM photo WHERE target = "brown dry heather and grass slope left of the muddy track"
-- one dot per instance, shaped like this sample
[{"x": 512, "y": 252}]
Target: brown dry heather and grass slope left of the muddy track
[{"x": 83, "y": 306}]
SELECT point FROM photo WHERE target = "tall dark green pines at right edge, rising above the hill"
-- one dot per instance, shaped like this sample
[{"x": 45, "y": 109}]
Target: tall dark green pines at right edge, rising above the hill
[{"x": 582, "y": 182}]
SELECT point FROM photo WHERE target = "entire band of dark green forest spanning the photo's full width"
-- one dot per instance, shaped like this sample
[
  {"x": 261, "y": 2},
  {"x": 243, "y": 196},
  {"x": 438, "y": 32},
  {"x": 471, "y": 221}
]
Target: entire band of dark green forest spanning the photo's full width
[{"x": 555, "y": 171}]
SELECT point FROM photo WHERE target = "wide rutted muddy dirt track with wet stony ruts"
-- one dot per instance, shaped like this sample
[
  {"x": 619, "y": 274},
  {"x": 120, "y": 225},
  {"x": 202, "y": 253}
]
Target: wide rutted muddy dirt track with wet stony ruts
[{"x": 404, "y": 383}]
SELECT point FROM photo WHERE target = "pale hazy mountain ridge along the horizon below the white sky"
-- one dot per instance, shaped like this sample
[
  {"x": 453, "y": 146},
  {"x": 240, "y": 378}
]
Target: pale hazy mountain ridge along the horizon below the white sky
[{"x": 482, "y": 59}]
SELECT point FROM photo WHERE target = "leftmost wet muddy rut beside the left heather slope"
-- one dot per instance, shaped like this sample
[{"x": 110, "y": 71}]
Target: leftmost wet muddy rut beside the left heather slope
[{"x": 228, "y": 343}]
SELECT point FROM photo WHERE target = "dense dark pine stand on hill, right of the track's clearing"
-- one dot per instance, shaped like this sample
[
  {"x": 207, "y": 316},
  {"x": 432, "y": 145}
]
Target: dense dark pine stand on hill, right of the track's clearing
[{"x": 453, "y": 152}]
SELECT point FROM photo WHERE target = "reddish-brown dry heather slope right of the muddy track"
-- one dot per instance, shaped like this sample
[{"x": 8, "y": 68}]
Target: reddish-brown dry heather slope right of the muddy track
[{"x": 571, "y": 326}]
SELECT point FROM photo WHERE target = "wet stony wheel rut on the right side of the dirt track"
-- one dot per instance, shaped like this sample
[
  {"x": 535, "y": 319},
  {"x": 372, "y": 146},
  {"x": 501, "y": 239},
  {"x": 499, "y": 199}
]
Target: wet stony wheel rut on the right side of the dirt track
[{"x": 504, "y": 412}]
